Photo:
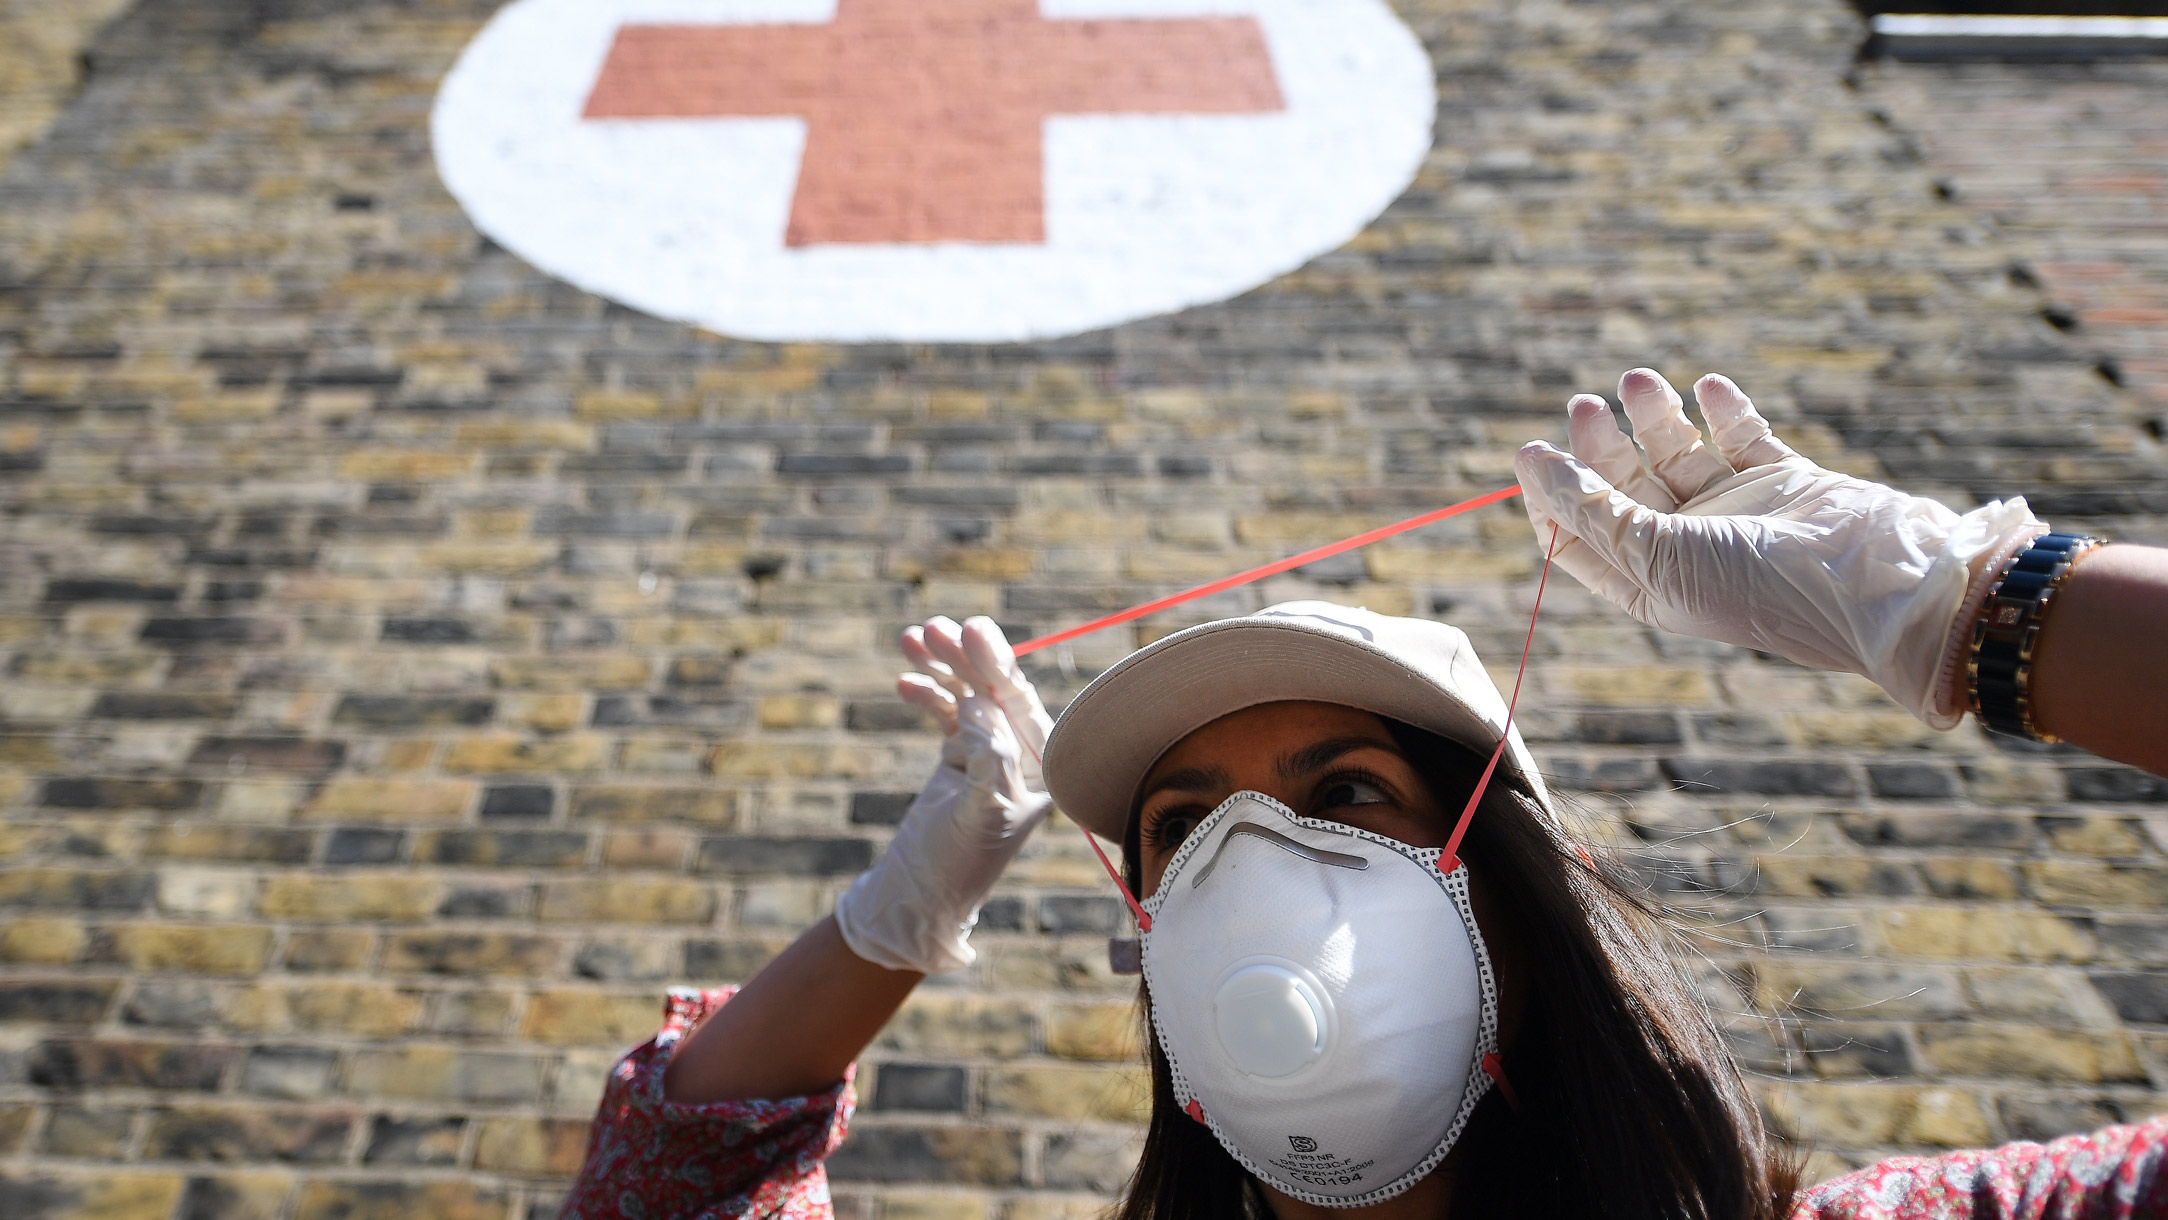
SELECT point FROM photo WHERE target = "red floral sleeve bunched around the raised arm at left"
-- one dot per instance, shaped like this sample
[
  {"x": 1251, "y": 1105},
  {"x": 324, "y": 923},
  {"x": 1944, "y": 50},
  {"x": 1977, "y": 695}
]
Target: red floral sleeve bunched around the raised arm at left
[{"x": 664, "y": 1160}]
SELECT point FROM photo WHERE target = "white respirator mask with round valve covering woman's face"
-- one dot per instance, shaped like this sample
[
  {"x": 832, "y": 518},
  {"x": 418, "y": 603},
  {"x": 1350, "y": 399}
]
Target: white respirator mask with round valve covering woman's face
[{"x": 1324, "y": 998}]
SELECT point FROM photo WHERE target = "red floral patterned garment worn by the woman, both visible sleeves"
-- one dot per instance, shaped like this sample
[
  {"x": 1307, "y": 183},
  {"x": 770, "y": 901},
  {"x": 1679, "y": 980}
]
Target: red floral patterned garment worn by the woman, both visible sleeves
[{"x": 740, "y": 1160}]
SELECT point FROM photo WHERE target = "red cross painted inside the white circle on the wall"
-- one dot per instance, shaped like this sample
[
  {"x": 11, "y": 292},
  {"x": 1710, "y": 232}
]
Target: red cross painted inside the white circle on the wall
[{"x": 925, "y": 116}]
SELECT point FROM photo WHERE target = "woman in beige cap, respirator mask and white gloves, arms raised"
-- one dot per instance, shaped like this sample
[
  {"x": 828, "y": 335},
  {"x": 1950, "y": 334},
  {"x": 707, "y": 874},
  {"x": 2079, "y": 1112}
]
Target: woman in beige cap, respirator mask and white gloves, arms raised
[{"x": 1378, "y": 985}]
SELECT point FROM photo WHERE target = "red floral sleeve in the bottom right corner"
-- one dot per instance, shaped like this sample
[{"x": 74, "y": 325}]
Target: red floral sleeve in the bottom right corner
[{"x": 2117, "y": 1173}]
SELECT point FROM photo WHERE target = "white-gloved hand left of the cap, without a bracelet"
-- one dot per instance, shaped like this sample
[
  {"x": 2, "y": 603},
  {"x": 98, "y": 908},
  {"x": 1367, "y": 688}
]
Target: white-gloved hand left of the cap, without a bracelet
[{"x": 916, "y": 907}]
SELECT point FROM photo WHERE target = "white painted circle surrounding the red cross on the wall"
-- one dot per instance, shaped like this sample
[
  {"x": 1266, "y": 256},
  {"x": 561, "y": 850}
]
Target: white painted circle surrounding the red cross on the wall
[{"x": 1144, "y": 213}]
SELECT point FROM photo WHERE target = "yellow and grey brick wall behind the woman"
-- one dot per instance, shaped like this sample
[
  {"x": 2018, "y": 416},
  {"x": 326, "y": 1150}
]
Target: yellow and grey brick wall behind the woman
[{"x": 413, "y": 664}]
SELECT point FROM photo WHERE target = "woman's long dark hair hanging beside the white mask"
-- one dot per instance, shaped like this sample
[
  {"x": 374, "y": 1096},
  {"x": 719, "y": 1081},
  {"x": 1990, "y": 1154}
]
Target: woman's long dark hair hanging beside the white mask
[{"x": 1631, "y": 1106}]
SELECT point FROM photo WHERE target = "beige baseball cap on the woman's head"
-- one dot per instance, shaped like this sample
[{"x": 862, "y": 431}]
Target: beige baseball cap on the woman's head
[{"x": 1404, "y": 669}]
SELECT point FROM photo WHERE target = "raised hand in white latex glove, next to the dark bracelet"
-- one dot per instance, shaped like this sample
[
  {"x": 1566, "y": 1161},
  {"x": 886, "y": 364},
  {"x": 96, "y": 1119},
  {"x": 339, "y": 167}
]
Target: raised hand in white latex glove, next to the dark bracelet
[{"x": 1753, "y": 545}]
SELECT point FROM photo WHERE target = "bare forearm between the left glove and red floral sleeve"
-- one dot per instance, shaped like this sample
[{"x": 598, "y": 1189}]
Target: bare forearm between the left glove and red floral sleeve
[{"x": 792, "y": 1028}]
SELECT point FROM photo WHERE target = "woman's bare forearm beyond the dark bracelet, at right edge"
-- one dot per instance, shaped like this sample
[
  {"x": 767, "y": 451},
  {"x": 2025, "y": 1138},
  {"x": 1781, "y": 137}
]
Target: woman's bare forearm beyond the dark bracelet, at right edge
[{"x": 2102, "y": 662}]
